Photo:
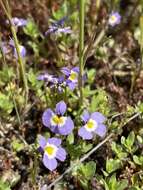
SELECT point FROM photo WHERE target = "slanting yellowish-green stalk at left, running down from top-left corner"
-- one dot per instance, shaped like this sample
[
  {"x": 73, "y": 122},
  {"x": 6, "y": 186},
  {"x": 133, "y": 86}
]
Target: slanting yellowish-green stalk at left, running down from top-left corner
[{"x": 7, "y": 11}]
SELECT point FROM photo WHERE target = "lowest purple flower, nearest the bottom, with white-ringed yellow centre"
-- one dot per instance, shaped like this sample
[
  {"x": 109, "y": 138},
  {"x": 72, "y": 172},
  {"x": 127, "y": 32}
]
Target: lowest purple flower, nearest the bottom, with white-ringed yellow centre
[{"x": 52, "y": 152}]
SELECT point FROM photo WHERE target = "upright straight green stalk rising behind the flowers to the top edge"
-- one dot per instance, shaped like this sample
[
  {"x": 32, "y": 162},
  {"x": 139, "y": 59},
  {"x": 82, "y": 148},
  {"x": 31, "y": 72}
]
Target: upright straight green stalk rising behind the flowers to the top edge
[{"x": 81, "y": 47}]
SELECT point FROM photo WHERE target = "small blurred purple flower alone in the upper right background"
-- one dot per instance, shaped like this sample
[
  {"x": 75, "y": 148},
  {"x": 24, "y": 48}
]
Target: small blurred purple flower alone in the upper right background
[{"x": 114, "y": 19}]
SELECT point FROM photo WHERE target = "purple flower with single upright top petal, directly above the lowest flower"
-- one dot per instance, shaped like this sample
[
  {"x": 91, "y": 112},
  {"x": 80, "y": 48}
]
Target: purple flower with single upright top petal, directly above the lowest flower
[{"x": 56, "y": 122}]
